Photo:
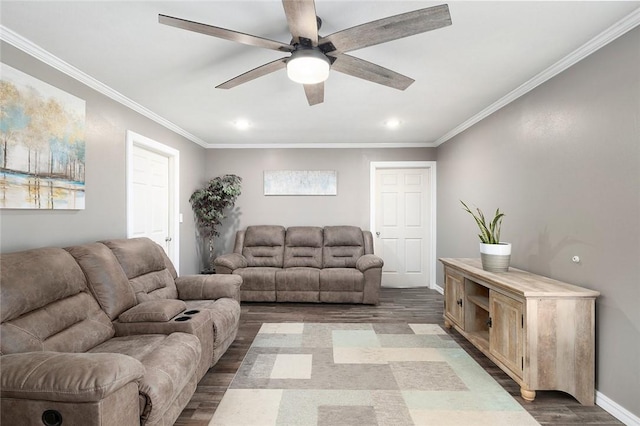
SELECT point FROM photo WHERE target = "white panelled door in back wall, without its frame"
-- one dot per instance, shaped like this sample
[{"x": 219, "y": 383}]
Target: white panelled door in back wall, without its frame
[{"x": 402, "y": 226}]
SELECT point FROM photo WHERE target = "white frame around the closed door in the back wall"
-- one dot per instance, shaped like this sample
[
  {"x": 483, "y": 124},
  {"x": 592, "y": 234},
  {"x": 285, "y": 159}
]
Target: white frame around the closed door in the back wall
[{"x": 430, "y": 166}]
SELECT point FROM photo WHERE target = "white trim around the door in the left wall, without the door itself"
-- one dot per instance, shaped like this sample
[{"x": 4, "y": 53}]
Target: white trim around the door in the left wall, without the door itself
[{"x": 135, "y": 139}]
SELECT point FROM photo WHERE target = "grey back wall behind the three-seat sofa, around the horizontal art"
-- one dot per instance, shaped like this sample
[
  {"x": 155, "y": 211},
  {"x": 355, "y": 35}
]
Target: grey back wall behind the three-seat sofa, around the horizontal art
[{"x": 349, "y": 207}]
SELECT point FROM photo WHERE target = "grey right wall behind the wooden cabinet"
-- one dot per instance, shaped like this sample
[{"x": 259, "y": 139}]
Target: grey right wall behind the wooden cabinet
[{"x": 563, "y": 162}]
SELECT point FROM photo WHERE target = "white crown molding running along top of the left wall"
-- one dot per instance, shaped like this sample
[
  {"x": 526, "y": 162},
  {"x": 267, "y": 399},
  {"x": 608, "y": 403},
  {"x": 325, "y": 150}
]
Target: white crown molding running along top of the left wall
[{"x": 27, "y": 46}]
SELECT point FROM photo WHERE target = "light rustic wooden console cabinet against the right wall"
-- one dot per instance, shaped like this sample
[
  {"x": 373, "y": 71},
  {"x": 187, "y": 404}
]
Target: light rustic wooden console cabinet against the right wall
[{"x": 540, "y": 331}]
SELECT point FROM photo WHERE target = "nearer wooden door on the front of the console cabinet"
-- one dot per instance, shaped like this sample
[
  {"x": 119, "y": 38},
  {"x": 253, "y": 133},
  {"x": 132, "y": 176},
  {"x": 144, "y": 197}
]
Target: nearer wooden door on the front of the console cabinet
[{"x": 507, "y": 332}]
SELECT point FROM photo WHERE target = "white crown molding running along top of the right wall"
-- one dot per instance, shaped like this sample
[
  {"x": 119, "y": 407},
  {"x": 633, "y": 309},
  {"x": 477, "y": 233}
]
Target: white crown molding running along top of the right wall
[{"x": 618, "y": 29}]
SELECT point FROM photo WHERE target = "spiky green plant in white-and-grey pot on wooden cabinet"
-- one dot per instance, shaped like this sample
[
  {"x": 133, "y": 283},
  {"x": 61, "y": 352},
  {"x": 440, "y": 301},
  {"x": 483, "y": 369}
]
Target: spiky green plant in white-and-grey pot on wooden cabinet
[{"x": 494, "y": 254}]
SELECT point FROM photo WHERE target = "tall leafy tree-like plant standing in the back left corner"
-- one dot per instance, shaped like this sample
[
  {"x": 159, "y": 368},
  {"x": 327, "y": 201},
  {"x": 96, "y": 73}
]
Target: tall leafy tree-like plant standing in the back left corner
[{"x": 209, "y": 204}]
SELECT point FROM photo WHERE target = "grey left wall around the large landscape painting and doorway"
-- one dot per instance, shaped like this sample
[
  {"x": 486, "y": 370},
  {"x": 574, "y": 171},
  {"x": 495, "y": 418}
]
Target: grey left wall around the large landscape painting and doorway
[{"x": 105, "y": 214}]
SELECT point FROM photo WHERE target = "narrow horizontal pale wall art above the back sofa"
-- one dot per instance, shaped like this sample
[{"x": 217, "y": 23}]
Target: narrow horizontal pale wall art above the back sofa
[{"x": 300, "y": 182}]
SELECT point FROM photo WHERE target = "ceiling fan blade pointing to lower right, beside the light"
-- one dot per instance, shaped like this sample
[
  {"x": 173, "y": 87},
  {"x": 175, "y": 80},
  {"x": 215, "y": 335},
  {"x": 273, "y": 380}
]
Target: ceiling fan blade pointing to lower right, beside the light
[{"x": 366, "y": 70}]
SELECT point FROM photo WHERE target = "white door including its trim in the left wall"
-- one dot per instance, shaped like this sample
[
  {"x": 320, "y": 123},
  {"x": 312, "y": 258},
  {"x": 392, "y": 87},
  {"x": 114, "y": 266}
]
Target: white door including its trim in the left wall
[{"x": 152, "y": 193}]
